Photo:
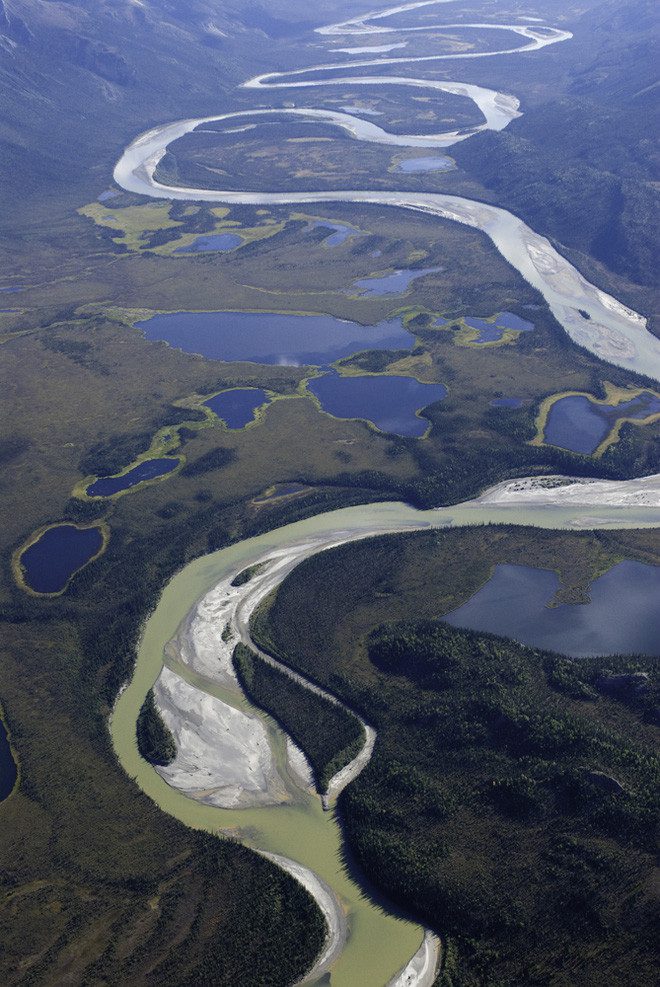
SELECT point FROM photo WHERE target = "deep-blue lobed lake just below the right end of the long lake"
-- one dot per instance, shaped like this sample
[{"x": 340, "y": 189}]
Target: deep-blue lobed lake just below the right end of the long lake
[{"x": 388, "y": 402}]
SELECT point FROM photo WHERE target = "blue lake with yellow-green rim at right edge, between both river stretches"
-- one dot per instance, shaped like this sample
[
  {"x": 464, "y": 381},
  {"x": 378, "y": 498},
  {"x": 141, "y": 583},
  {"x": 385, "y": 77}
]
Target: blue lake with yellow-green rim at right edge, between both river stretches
[{"x": 580, "y": 425}]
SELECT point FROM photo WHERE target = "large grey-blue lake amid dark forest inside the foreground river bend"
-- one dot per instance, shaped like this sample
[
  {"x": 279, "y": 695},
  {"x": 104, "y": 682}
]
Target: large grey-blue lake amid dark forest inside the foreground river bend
[{"x": 623, "y": 616}]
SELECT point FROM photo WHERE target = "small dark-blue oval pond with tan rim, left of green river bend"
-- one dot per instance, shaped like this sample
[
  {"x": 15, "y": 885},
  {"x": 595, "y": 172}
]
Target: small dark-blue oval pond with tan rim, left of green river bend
[{"x": 57, "y": 555}]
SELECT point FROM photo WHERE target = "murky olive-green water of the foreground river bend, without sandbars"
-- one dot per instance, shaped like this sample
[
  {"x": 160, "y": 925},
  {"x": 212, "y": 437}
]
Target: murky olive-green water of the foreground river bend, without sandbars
[{"x": 379, "y": 944}]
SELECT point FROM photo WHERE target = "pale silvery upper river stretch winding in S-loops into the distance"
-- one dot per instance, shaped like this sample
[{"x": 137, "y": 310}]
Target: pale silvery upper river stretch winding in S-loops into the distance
[{"x": 591, "y": 317}]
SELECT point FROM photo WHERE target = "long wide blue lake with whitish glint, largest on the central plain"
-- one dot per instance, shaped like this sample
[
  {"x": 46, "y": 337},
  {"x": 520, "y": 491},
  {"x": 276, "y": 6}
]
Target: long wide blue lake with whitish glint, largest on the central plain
[{"x": 270, "y": 337}]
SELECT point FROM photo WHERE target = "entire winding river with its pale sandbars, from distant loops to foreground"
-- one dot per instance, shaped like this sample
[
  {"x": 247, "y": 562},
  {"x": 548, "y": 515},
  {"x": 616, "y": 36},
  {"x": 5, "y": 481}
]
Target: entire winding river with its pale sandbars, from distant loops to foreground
[{"x": 258, "y": 786}]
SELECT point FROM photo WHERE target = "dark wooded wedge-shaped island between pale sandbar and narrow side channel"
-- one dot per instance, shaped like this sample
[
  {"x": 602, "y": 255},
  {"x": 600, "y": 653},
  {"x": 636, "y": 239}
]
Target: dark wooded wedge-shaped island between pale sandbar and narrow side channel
[{"x": 328, "y": 734}]
